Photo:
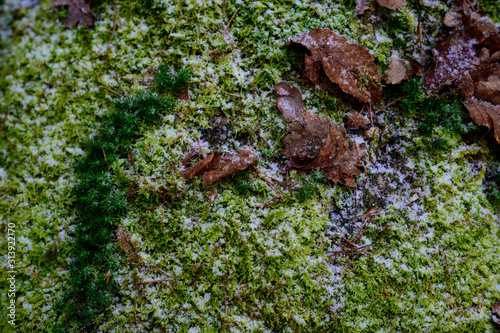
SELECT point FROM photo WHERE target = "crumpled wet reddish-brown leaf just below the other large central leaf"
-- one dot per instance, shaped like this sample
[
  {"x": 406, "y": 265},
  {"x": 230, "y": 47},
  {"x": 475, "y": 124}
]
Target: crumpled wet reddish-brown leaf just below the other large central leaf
[{"x": 317, "y": 144}]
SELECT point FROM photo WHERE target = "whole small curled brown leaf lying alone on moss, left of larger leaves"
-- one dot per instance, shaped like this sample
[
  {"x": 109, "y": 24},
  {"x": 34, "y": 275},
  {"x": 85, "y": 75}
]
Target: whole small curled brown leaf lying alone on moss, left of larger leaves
[{"x": 215, "y": 166}]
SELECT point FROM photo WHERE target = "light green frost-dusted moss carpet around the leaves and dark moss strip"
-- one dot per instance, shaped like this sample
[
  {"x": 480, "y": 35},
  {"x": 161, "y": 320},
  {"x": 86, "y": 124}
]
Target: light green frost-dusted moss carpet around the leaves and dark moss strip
[{"x": 235, "y": 266}]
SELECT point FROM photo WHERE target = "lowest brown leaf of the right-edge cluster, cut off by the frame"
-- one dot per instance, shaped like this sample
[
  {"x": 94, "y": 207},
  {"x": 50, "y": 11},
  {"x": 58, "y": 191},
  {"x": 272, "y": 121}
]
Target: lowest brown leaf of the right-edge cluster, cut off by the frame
[{"x": 485, "y": 114}]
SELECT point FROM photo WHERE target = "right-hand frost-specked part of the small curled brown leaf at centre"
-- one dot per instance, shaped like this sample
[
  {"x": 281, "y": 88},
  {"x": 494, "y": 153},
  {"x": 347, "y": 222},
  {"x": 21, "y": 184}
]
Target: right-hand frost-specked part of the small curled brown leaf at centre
[{"x": 230, "y": 164}]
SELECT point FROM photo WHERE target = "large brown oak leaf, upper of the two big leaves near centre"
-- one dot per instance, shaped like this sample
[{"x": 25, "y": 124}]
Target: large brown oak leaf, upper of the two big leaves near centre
[{"x": 349, "y": 65}]
